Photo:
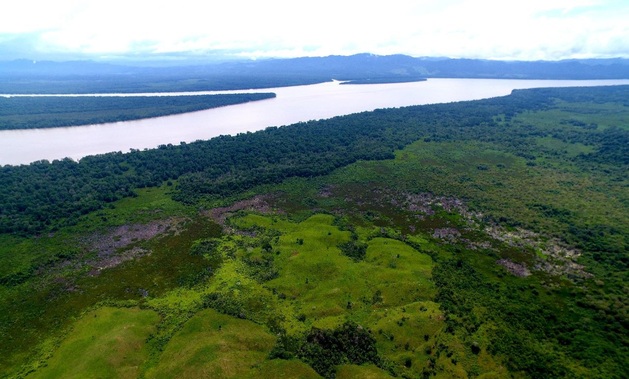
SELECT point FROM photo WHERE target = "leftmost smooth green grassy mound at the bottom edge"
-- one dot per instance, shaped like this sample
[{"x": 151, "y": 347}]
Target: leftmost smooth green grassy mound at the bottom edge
[{"x": 105, "y": 343}]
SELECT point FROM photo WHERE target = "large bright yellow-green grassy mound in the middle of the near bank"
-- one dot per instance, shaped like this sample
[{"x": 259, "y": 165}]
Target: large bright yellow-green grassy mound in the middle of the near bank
[{"x": 328, "y": 287}]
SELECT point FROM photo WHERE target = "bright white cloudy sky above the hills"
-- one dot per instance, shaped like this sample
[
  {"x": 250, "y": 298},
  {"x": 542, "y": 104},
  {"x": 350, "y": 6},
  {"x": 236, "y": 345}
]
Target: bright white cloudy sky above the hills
[{"x": 145, "y": 29}]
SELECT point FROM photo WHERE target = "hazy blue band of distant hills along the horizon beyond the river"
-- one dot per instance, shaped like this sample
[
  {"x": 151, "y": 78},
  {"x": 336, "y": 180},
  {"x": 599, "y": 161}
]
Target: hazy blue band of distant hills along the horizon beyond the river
[{"x": 23, "y": 76}]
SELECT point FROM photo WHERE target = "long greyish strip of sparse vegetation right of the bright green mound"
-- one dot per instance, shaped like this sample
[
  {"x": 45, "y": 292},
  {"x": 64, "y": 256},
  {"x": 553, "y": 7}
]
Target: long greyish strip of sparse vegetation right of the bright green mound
[{"x": 548, "y": 255}]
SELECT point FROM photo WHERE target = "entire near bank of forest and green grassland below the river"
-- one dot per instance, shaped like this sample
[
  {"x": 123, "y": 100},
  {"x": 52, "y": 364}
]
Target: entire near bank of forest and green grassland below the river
[{"x": 484, "y": 238}]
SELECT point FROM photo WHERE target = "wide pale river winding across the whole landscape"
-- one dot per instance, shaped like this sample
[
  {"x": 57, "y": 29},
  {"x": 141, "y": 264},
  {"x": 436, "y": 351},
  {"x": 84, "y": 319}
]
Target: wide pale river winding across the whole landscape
[{"x": 292, "y": 105}]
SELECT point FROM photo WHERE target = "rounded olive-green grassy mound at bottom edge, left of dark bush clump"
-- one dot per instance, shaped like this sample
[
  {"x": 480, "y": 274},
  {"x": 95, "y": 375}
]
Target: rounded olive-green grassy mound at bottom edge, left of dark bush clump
[{"x": 214, "y": 345}]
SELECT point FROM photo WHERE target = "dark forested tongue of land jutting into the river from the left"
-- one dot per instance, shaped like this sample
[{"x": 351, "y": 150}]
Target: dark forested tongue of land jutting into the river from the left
[{"x": 49, "y": 112}]
